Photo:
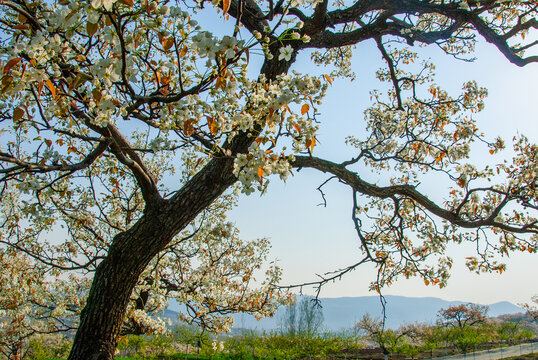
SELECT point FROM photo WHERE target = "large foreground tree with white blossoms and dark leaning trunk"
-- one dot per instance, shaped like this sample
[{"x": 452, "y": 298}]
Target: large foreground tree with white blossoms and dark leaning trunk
[{"x": 133, "y": 128}]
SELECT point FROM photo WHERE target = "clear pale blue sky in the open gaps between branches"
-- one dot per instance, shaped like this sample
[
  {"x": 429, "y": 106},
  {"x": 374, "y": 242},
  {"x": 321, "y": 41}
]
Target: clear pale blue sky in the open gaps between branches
[{"x": 308, "y": 239}]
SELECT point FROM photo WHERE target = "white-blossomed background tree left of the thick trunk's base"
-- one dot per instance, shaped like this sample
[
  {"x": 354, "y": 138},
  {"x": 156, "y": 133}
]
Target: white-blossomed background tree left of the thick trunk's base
[{"x": 31, "y": 305}]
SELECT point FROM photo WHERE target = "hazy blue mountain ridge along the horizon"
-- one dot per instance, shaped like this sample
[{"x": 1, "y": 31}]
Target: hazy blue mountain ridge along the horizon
[{"x": 343, "y": 313}]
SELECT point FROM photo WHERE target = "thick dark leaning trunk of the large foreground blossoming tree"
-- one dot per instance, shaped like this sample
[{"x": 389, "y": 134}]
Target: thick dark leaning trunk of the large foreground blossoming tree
[{"x": 131, "y": 251}]
